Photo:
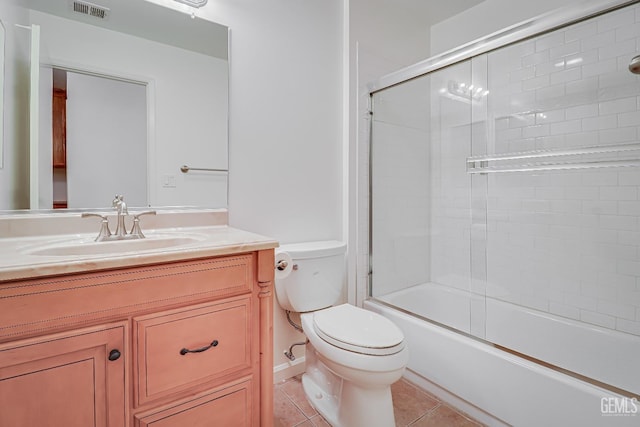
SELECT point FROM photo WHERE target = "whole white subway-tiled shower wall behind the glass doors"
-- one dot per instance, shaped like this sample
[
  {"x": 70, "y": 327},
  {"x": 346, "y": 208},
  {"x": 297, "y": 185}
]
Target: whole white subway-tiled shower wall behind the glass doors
[{"x": 564, "y": 242}]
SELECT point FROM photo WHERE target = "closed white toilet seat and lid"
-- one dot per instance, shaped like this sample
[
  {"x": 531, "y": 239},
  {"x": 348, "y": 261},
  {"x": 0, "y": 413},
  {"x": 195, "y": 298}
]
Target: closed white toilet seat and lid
[{"x": 358, "y": 330}]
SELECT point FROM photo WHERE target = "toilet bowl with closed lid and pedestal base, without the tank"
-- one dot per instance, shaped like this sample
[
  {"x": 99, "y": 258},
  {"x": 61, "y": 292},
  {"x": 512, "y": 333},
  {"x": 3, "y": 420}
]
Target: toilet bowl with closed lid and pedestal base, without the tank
[{"x": 364, "y": 365}]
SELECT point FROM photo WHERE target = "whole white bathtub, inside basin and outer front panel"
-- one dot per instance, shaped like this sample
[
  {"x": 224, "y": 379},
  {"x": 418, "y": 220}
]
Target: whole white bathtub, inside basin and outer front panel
[{"x": 499, "y": 387}]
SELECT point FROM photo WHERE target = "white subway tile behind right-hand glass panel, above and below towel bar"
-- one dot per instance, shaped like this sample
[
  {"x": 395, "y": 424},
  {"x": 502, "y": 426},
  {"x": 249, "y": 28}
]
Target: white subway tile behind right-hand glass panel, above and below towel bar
[{"x": 567, "y": 242}]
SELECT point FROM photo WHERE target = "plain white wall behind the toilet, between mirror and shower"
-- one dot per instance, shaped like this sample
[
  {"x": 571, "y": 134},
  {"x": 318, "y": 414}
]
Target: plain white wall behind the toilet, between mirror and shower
[{"x": 285, "y": 123}]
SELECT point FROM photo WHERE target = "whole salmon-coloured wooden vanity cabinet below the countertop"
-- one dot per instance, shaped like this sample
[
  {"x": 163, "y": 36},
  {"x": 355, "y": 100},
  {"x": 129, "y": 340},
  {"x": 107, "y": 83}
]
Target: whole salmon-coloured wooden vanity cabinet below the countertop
[{"x": 167, "y": 344}]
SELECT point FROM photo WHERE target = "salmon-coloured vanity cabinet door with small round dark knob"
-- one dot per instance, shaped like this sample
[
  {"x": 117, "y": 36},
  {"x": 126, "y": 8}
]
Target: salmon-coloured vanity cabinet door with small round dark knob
[{"x": 64, "y": 379}]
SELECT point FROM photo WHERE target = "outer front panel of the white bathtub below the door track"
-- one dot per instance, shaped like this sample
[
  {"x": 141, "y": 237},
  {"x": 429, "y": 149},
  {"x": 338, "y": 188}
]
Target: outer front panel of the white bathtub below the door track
[{"x": 509, "y": 388}]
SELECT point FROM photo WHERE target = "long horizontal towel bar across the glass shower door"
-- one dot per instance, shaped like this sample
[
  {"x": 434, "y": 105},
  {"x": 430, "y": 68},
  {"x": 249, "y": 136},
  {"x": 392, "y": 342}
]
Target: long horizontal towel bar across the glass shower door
[{"x": 594, "y": 157}]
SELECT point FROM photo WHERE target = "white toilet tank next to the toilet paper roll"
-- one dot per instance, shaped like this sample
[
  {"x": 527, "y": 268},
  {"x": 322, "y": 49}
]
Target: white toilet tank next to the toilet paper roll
[{"x": 314, "y": 278}]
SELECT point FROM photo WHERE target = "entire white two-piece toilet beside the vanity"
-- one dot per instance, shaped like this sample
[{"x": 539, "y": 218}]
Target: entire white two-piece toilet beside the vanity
[{"x": 353, "y": 355}]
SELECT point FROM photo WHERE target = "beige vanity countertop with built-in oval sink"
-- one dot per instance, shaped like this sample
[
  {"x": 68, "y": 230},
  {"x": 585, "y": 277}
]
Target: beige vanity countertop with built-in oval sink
[{"x": 24, "y": 255}]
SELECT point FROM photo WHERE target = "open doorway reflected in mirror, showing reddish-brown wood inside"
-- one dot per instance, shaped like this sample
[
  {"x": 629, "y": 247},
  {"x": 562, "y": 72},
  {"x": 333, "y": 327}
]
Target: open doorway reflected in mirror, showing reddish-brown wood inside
[{"x": 98, "y": 140}]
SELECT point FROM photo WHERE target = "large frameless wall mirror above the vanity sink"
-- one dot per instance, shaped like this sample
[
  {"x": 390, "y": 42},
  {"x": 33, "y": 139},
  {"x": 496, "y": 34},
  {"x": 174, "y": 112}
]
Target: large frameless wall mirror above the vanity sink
[{"x": 181, "y": 62}]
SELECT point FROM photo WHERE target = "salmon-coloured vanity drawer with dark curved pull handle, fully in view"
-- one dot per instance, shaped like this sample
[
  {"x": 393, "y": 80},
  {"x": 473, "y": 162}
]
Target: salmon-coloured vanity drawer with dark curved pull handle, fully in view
[{"x": 180, "y": 349}]
